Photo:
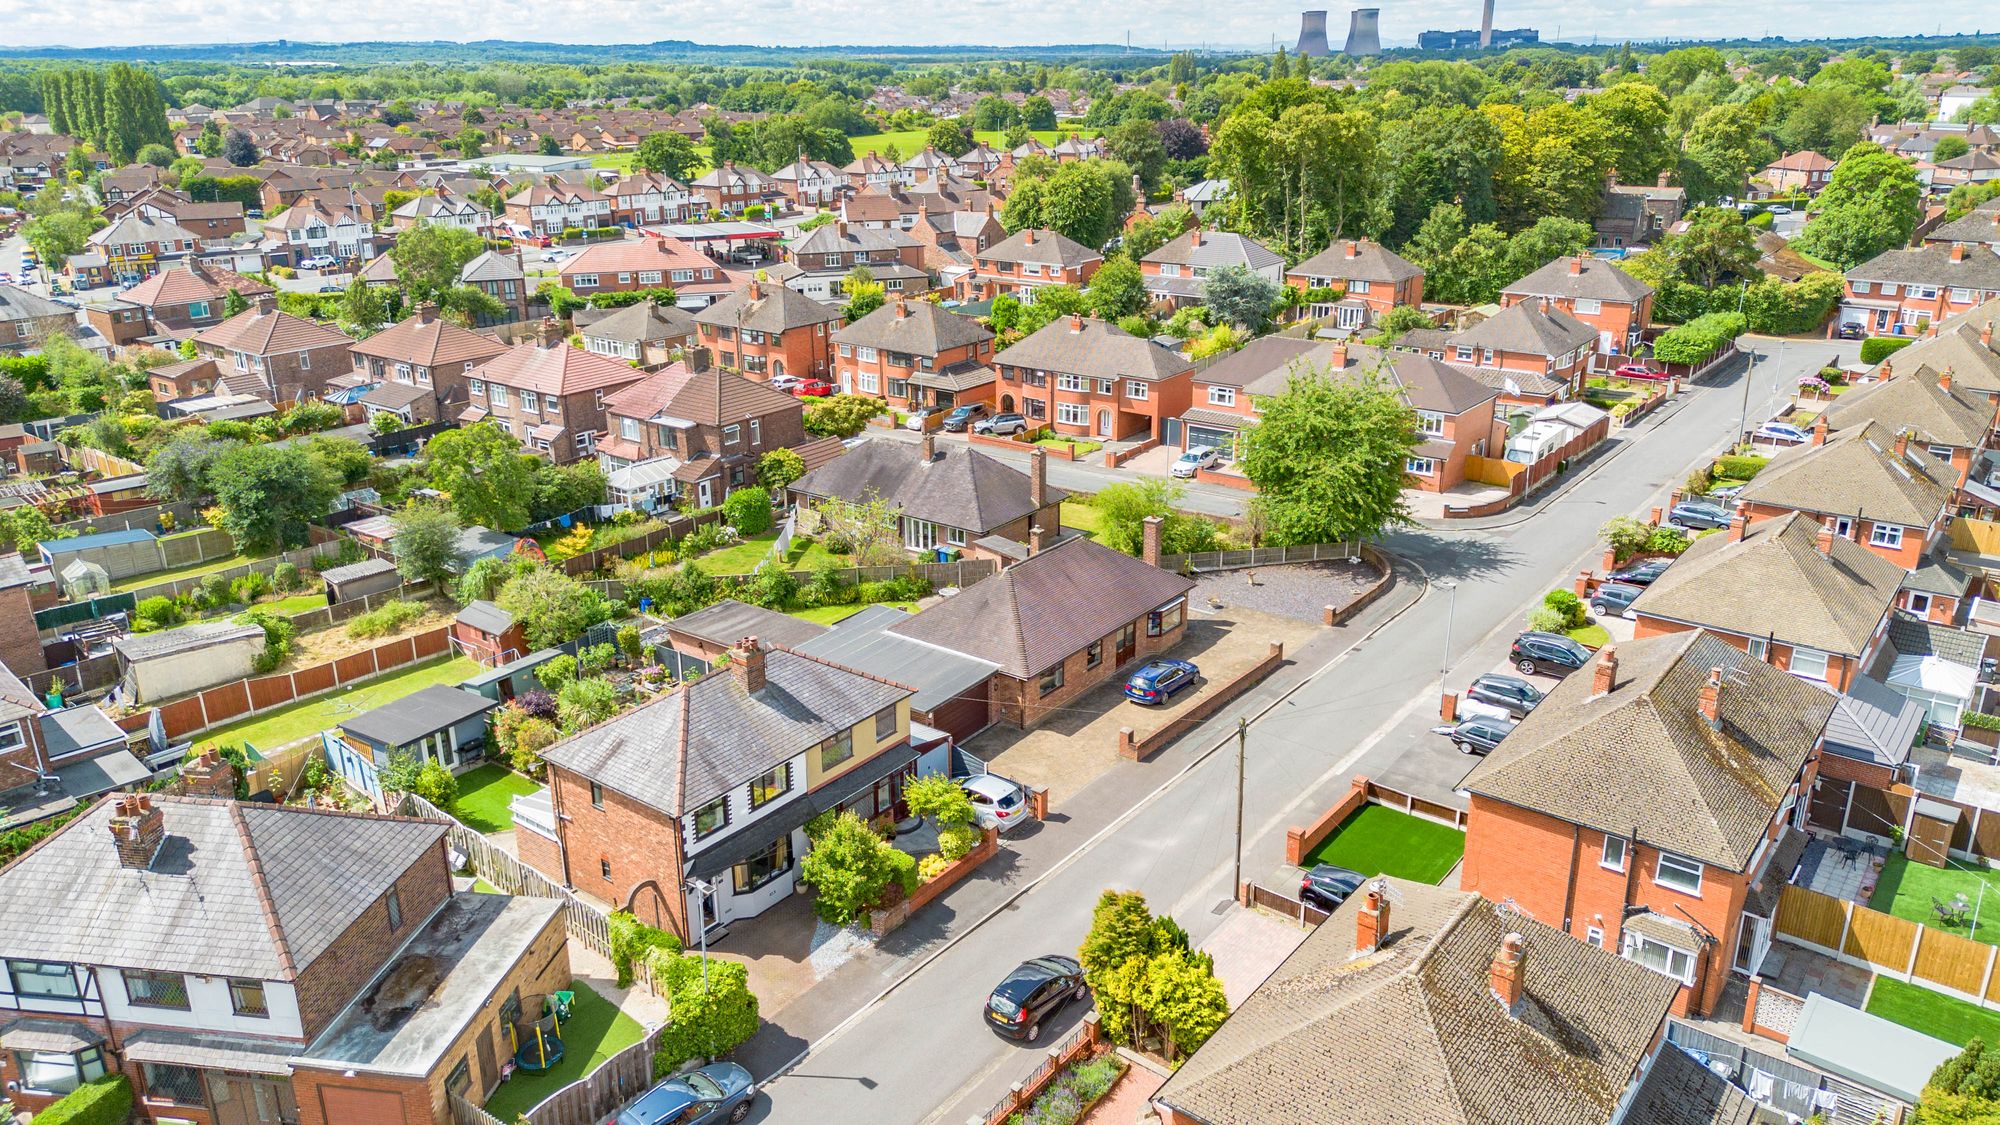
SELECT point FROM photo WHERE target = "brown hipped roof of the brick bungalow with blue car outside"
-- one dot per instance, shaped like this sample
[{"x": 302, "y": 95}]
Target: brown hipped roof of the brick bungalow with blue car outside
[{"x": 1035, "y": 614}]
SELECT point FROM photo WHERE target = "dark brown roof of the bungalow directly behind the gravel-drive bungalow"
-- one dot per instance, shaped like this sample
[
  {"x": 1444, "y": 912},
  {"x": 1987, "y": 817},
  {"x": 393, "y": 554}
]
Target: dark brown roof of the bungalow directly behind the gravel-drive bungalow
[{"x": 961, "y": 487}]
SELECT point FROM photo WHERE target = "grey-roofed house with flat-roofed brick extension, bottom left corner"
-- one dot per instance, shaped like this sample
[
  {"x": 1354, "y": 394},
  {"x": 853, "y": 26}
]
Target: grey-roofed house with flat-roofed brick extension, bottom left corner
[{"x": 231, "y": 956}]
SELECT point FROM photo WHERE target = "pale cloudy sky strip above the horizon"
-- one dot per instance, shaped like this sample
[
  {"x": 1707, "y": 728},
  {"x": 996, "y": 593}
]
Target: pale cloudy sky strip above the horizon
[{"x": 813, "y": 23}]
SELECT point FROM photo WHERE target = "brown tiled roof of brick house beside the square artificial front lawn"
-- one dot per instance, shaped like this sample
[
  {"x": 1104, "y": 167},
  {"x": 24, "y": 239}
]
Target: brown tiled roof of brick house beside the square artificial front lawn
[{"x": 1643, "y": 760}]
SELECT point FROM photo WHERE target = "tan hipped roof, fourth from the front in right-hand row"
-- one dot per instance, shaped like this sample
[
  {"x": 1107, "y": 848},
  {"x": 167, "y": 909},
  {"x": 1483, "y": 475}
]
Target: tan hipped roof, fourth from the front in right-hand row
[{"x": 1857, "y": 471}]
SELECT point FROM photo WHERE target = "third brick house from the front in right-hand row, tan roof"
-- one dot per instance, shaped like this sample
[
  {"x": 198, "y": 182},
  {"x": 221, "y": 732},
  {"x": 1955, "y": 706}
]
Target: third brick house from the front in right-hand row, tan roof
[{"x": 1787, "y": 592}]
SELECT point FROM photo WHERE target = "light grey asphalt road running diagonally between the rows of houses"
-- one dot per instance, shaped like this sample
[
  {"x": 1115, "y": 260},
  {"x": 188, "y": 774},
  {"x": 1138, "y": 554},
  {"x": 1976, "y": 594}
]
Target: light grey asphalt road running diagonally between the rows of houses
[{"x": 923, "y": 1054}]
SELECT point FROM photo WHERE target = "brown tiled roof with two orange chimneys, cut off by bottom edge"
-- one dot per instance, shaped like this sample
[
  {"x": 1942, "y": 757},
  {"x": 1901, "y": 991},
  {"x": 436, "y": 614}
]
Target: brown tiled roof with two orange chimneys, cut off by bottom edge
[{"x": 1415, "y": 1036}]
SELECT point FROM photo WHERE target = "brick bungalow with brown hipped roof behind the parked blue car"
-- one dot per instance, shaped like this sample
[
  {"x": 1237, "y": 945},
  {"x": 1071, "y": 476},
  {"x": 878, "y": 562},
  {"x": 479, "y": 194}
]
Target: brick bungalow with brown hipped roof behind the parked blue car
[{"x": 1049, "y": 644}]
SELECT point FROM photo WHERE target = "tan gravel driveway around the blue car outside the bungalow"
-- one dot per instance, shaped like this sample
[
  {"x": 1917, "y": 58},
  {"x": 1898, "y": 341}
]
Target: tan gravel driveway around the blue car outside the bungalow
[{"x": 1081, "y": 742}]
